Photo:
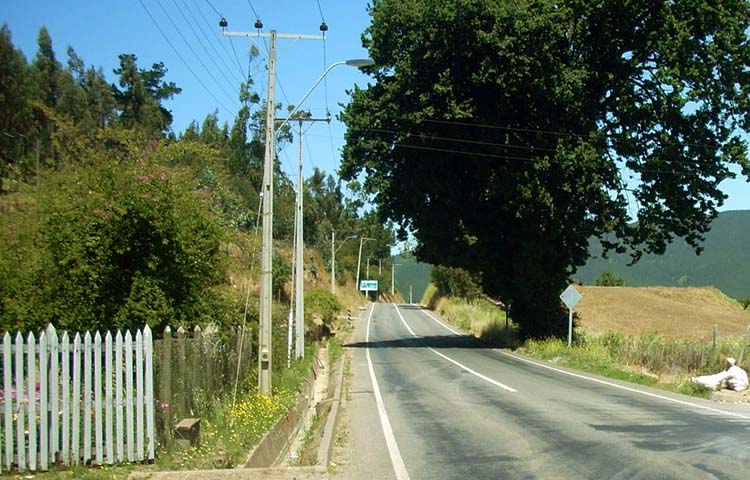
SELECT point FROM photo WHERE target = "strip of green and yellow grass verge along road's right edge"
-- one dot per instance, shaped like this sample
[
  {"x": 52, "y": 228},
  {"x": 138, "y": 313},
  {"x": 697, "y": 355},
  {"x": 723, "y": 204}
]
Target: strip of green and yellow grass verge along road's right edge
[{"x": 647, "y": 359}]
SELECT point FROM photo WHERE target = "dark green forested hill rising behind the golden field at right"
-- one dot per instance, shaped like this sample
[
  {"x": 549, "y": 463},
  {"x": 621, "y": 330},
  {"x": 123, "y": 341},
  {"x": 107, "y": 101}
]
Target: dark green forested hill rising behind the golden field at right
[{"x": 724, "y": 262}]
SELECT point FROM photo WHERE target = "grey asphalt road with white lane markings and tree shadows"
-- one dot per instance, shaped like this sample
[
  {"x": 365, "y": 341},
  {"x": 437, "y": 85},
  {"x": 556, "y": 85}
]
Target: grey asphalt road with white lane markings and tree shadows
[{"x": 427, "y": 403}]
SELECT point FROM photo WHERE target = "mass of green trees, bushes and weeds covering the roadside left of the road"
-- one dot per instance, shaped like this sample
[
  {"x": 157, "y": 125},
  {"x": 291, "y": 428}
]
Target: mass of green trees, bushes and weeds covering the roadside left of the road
[{"x": 109, "y": 219}]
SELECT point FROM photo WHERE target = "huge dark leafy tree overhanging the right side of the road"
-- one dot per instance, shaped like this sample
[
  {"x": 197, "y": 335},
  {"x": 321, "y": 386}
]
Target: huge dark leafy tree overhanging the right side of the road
[{"x": 504, "y": 134}]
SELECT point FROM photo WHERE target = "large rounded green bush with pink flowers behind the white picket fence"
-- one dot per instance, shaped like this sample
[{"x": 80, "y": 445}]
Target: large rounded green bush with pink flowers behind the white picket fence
[{"x": 114, "y": 246}]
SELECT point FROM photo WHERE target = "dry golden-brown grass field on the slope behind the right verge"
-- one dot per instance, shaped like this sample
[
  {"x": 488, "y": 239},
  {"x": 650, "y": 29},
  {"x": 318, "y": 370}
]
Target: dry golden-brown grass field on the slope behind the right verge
[{"x": 671, "y": 311}]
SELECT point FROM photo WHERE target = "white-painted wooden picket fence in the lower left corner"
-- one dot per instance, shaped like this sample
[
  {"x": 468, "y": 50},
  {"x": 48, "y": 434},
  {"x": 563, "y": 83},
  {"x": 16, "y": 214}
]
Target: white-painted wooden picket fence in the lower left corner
[{"x": 85, "y": 401}]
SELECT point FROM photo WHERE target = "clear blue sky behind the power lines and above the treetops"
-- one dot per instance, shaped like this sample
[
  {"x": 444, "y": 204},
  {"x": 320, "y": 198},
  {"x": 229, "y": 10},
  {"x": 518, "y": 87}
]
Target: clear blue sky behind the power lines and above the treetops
[{"x": 100, "y": 30}]
